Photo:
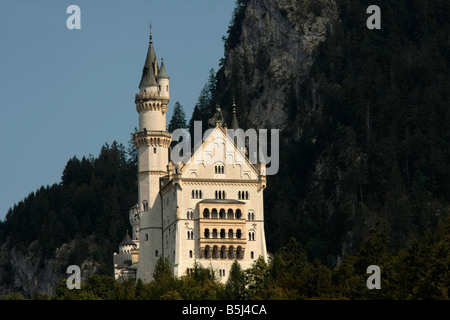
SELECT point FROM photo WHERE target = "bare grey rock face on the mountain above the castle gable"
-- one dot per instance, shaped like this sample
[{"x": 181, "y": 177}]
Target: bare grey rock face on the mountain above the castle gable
[{"x": 274, "y": 53}]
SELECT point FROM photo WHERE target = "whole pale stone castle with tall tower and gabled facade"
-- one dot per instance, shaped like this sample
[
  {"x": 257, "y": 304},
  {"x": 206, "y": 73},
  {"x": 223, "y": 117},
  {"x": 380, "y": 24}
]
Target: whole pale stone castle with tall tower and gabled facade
[{"x": 208, "y": 209}]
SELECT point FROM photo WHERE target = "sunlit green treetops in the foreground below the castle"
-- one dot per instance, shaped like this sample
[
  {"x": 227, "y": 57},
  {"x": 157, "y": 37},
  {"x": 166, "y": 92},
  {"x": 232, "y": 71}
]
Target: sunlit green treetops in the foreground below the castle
[{"x": 417, "y": 272}]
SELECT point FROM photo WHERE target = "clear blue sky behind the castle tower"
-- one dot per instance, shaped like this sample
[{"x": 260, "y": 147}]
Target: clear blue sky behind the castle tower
[{"x": 64, "y": 93}]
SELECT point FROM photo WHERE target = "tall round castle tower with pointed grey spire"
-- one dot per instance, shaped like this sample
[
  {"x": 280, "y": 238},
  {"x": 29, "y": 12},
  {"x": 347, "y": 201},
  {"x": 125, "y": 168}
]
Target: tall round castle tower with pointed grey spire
[{"x": 152, "y": 142}]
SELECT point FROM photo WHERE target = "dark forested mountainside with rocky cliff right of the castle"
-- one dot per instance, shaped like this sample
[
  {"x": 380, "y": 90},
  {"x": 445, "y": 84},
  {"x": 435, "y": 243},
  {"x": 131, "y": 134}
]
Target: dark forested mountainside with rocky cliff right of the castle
[{"x": 361, "y": 115}]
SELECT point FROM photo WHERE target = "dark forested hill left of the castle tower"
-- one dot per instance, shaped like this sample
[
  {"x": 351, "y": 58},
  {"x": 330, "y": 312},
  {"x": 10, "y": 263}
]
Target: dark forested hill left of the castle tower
[{"x": 91, "y": 199}]
